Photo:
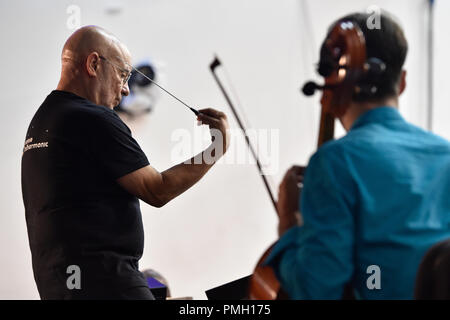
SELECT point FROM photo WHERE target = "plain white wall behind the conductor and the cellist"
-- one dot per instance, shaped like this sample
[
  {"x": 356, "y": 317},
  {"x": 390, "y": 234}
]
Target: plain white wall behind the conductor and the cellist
[{"x": 216, "y": 231}]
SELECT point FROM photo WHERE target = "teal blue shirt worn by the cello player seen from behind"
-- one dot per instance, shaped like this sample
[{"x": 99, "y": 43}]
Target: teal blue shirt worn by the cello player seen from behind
[{"x": 377, "y": 198}]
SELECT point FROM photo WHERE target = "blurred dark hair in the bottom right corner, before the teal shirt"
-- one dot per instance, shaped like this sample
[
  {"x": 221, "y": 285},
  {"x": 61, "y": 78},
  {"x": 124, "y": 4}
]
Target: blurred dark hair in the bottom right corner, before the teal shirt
[{"x": 433, "y": 276}]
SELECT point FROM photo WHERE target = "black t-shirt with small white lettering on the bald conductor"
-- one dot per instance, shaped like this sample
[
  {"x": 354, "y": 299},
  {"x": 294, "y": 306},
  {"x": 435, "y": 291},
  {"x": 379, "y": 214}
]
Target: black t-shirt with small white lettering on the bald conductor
[{"x": 76, "y": 212}]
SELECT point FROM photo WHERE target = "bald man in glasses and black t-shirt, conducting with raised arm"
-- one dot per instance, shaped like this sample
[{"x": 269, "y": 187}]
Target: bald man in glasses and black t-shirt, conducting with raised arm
[{"x": 83, "y": 173}]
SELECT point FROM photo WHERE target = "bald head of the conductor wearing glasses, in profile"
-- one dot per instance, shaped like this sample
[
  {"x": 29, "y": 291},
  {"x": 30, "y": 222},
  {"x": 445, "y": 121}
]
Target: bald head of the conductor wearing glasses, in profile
[{"x": 93, "y": 63}]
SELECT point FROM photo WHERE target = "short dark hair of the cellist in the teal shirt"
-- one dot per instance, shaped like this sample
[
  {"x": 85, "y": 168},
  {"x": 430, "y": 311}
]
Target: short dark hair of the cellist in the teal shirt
[{"x": 387, "y": 43}]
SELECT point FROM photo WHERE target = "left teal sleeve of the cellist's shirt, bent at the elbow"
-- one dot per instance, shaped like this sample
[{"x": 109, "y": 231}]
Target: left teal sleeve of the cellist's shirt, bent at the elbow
[{"x": 315, "y": 261}]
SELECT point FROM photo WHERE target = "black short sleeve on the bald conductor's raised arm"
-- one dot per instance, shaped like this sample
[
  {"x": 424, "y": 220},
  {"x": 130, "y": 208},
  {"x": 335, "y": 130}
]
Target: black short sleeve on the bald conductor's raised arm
[{"x": 113, "y": 147}]
